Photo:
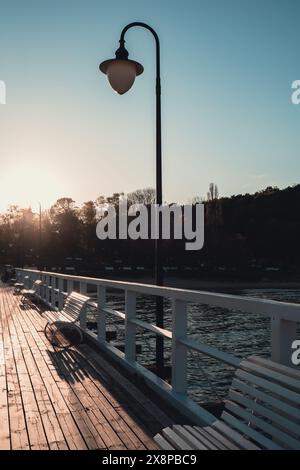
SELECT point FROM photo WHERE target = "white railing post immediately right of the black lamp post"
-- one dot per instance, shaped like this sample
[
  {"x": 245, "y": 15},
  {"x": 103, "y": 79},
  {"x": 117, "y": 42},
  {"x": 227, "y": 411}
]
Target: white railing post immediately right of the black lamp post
[{"x": 179, "y": 353}]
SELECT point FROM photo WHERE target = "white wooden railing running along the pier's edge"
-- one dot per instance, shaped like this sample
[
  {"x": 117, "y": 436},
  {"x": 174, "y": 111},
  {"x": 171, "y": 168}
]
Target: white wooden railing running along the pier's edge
[{"x": 284, "y": 321}]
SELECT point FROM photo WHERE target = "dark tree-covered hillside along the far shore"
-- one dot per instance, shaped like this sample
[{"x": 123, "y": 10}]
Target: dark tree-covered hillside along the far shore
[{"x": 245, "y": 235}]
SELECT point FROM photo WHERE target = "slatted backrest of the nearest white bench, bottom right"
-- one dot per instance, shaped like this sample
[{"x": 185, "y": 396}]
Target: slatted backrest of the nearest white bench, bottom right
[{"x": 264, "y": 403}]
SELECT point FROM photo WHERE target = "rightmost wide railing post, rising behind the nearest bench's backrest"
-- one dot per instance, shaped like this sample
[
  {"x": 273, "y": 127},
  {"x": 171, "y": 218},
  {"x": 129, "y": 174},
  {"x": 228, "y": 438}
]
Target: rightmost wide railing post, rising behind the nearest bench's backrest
[{"x": 283, "y": 333}]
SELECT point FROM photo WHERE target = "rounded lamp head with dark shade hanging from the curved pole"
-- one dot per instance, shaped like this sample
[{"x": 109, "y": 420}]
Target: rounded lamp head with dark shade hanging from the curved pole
[{"x": 121, "y": 71}]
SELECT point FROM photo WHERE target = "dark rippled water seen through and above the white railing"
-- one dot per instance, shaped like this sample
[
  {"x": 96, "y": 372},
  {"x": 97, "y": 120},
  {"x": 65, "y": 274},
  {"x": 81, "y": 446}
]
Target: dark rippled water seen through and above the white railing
[{"x": 231, "y": 331}]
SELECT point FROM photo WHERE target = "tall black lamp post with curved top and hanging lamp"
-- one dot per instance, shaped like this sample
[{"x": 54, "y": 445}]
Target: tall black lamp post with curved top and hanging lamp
[{"x": 121, "y": 73}]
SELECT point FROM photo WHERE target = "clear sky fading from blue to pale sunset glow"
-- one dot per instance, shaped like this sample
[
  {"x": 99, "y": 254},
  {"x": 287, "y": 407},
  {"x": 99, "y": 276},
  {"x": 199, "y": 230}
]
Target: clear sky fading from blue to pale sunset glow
[{"x": 227, "y": 70}]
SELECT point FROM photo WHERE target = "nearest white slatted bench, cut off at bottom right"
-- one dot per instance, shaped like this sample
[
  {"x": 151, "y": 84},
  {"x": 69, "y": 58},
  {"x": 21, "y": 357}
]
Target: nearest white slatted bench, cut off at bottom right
[{"x": 262, "y": 411}]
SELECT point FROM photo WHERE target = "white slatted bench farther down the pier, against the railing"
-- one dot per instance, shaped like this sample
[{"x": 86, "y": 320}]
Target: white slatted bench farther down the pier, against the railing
[{"x": 68, "y": 318}]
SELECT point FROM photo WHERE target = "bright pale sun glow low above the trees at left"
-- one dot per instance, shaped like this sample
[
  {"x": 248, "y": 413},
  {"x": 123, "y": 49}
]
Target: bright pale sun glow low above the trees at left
[{"x": 28, "y": 185}]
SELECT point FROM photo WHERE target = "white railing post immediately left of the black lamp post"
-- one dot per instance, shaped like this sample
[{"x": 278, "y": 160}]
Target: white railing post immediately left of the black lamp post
[{"x": 130, "y": 328}]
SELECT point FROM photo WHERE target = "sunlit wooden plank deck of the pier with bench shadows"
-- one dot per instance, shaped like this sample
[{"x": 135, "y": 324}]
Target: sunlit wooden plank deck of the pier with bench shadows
[{"x": 65, "y": 399}]
